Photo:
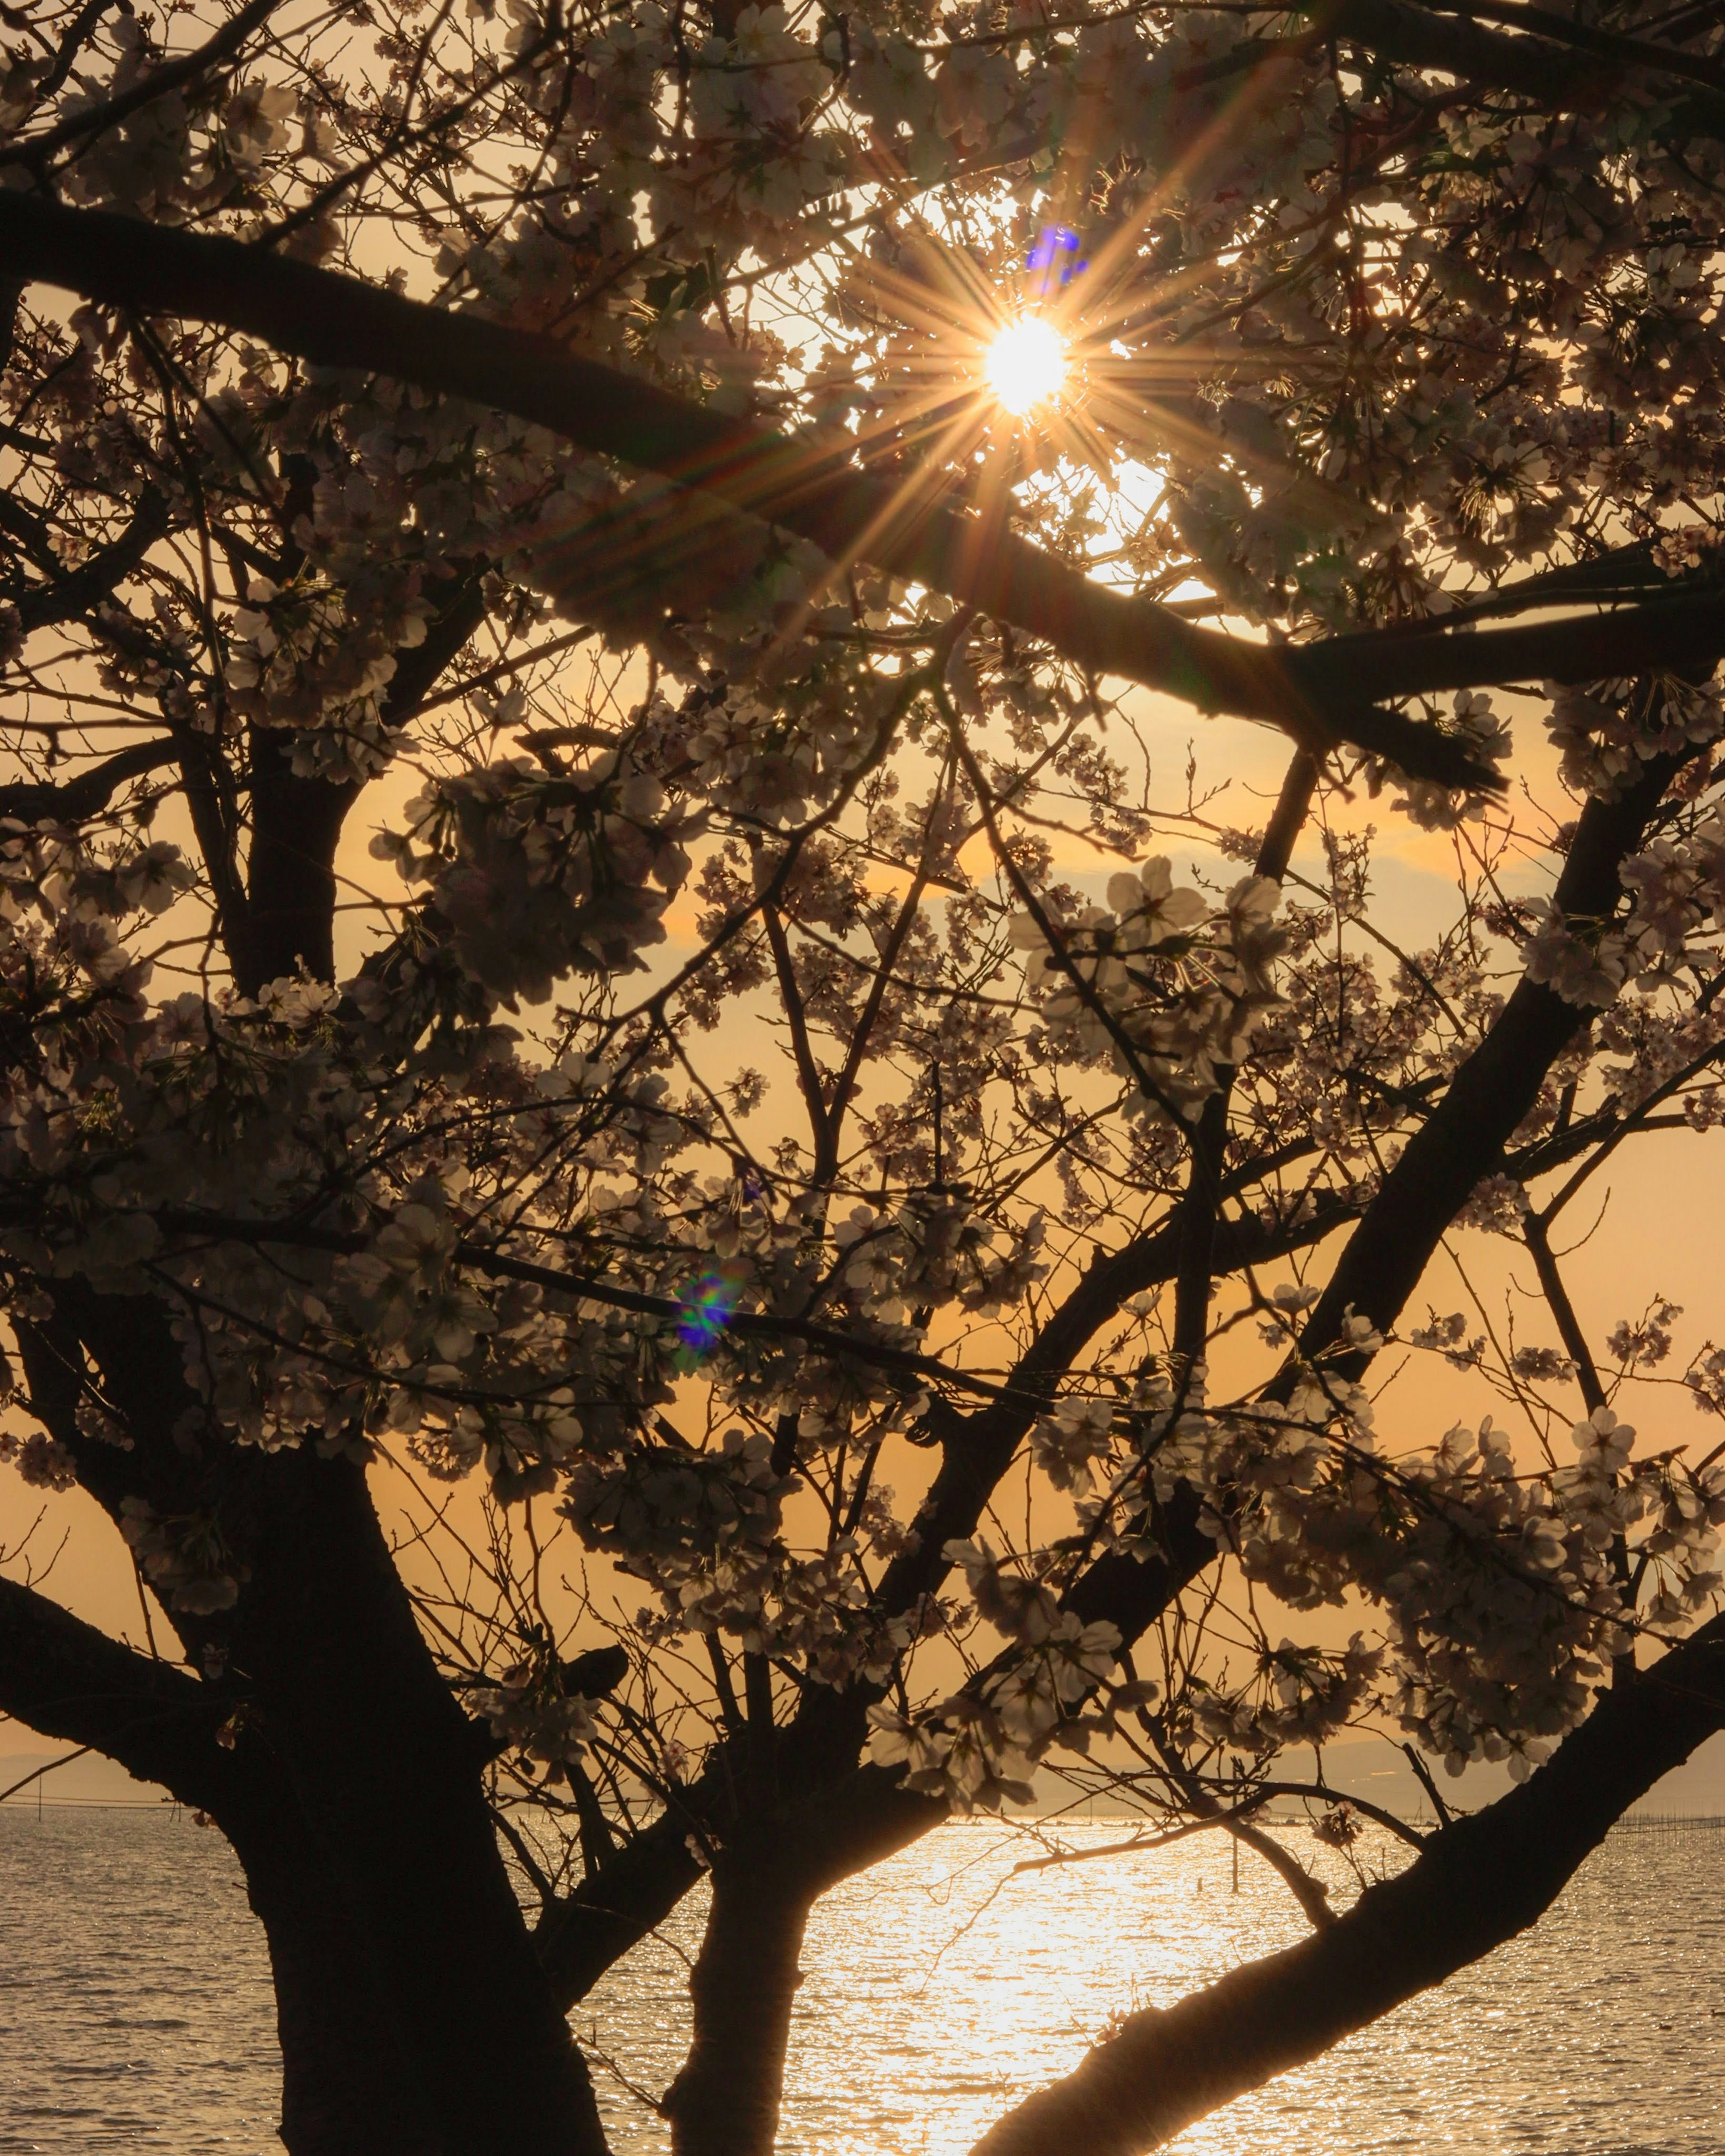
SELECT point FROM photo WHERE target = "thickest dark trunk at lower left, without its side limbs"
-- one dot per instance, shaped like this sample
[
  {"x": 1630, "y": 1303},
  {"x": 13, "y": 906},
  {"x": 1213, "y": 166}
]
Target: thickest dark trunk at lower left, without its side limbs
[{"x": 398, "y": 1888}]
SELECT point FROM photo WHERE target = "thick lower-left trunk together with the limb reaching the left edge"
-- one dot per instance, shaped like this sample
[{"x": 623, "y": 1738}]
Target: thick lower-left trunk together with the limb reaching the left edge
[{"x": 413, "y": 2010}]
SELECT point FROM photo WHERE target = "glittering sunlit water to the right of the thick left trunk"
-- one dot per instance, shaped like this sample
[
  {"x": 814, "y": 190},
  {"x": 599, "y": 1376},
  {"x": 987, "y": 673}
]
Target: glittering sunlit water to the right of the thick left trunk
[{"x": 939, "y": 1991}]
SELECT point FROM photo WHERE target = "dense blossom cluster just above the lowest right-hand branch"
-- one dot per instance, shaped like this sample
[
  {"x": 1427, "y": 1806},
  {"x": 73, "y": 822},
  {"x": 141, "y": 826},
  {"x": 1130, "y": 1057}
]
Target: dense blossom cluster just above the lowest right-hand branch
[{"x": 1500, "y": 1588}]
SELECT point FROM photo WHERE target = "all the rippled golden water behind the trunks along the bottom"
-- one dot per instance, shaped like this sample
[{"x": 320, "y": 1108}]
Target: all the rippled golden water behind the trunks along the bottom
[{"x": 135, "y": 2006}]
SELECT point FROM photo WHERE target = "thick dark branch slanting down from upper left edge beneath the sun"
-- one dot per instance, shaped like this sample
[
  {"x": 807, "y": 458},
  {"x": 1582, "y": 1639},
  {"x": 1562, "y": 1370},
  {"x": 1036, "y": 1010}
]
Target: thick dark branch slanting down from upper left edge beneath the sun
[{"x": 805, "y": 486}]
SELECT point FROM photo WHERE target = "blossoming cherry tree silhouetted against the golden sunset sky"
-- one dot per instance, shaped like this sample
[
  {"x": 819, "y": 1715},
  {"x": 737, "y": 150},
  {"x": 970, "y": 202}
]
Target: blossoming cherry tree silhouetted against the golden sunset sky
[{"x": 773, "y": 1264}]
